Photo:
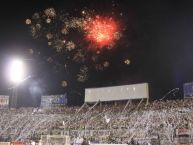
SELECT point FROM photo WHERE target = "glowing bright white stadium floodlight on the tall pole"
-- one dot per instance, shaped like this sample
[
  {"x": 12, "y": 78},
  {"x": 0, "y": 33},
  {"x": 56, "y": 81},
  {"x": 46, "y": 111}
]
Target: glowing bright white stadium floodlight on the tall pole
[{"x": 16, "y": 71}]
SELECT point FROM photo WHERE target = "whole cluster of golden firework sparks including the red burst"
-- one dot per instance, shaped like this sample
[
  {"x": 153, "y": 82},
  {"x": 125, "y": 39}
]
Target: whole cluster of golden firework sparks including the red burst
[{"x": 61, "y": 31}]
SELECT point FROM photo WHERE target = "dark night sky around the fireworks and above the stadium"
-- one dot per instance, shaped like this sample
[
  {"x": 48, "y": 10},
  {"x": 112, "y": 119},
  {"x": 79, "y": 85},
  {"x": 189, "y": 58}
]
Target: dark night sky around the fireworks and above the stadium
[{"x": 158, "y": 41}]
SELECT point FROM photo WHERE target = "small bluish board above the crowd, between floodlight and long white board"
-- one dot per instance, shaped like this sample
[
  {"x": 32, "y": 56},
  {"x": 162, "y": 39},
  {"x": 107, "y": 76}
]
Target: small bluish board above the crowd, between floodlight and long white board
[{"x": 53, "y": 101}]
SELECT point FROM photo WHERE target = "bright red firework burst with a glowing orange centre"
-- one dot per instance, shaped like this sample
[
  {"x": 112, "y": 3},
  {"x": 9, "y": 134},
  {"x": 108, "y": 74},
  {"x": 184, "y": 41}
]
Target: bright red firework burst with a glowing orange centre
[{"x": 101, "y": 31}]
